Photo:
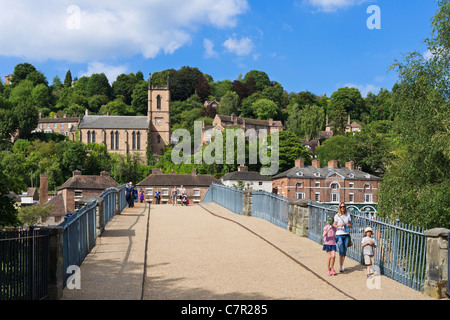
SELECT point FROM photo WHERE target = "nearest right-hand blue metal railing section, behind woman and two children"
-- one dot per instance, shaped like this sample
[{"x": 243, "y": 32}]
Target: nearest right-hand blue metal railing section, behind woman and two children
[{"x": 401, "y": 249}]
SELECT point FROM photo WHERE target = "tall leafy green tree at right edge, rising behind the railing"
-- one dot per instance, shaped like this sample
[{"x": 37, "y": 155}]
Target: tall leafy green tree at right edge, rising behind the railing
[{"x": 416, "y": 186}]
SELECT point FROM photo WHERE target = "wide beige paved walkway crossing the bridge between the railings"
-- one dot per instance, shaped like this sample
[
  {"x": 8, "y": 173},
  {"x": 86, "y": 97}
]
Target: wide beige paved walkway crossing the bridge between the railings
[{"x": 208, "y": 253}]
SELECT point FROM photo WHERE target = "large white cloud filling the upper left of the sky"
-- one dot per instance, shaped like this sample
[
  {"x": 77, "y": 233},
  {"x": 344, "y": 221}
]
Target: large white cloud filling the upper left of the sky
[{"x": 95, "y": 30}]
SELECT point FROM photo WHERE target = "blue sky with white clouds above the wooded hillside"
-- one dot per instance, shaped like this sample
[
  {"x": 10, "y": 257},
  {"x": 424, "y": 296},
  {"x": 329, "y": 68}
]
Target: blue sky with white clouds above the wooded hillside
[{"x": 315, "y": 45}]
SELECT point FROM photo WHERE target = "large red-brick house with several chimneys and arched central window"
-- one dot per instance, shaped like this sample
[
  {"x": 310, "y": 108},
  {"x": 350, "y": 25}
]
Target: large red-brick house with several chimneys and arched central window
[{"x": 329, "y": 184}]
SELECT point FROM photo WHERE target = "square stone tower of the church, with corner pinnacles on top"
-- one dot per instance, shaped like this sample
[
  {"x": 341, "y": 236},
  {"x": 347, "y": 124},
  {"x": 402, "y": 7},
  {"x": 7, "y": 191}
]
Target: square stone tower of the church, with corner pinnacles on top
[{"x": 158, "y": 117}]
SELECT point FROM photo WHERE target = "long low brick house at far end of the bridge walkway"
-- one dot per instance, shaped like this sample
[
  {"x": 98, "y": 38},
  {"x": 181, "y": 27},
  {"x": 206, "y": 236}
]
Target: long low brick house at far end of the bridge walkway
[{"x": 196, "y": 185}]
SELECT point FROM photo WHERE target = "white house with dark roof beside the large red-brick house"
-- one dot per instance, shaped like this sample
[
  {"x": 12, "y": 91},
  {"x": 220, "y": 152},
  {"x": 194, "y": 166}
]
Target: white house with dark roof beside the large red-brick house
[{"x": 255, "y": 180}]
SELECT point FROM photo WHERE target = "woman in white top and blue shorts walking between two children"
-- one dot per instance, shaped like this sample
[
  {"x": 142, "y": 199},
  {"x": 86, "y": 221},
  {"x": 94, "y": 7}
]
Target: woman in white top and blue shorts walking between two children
[{"x": 343, "y": 223}]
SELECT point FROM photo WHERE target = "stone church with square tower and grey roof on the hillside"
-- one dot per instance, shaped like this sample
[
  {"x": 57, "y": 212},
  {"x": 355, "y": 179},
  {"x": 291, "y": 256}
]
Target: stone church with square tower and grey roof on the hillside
[{"x": 131, "y": 134}]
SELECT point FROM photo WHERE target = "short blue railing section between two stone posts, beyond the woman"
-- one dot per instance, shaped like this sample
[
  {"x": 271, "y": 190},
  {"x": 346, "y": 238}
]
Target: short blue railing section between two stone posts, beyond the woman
[{"x": 271, "y": 207}]
